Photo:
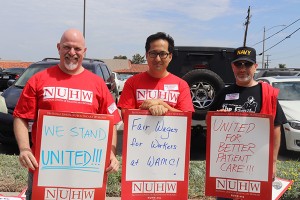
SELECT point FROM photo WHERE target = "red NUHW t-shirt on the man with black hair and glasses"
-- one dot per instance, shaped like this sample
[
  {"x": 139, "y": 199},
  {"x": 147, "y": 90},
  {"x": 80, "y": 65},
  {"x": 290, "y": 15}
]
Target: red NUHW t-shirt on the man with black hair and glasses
[{"x": 171, "y": 89}]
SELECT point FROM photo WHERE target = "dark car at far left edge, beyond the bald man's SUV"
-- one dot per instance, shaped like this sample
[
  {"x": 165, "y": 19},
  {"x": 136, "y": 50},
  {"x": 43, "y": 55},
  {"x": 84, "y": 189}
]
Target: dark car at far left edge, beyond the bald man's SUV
[{"x": 8, "y": 74}]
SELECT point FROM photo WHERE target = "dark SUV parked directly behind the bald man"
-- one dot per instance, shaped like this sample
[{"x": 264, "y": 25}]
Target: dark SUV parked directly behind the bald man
[{"x": 11, "y": 95}]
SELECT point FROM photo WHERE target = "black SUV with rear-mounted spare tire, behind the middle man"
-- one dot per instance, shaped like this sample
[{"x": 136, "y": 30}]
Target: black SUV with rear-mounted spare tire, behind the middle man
[{"x": 206, "y": 70}]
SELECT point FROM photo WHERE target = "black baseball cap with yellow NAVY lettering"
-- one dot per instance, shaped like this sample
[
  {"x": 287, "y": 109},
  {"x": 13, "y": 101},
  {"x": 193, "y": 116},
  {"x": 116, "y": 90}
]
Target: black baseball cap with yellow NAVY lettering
[{"x": 244, "y": 53}]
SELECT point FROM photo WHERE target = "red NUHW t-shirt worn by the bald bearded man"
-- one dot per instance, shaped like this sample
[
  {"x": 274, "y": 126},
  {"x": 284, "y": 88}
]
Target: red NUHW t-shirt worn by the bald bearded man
[{"x": 52, "y": 89}]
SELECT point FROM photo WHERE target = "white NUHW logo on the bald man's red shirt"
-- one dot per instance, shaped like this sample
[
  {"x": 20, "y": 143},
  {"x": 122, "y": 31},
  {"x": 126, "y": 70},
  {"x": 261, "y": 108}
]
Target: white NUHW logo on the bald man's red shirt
[{"x": 69, "y": 94}]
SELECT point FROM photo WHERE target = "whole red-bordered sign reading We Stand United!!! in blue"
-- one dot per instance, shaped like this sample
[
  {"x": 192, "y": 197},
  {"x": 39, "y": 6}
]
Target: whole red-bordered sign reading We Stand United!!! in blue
[{"x": 73, "y": 151}]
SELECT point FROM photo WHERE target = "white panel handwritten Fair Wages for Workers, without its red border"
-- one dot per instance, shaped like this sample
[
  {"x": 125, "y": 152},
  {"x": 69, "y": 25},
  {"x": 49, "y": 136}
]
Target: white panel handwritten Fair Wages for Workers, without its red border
[{"x": 156, "y": 148}]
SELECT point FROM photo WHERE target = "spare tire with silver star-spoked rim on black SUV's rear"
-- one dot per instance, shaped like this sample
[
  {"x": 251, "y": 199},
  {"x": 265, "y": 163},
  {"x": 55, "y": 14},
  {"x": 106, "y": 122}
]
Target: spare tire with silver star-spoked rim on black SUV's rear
[{"x": 204, "y": 84}]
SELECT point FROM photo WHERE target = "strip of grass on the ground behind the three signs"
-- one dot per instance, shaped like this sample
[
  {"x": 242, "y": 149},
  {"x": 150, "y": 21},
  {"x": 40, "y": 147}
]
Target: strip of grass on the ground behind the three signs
[{"x": 13, "y": 178}]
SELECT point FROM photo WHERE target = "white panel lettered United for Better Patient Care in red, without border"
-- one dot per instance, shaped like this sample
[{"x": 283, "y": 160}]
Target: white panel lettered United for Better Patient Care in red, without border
[{"x": 239, "y": 147}]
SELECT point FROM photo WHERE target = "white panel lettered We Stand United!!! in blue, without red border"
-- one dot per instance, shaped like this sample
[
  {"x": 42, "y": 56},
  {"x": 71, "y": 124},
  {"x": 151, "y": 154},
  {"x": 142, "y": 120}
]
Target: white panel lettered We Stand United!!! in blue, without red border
[{"x": 73, "y": 148}]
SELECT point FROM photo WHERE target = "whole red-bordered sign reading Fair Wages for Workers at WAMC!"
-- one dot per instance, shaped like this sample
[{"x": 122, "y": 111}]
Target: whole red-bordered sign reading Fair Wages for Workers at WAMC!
[{"x": 155, "y": 155}]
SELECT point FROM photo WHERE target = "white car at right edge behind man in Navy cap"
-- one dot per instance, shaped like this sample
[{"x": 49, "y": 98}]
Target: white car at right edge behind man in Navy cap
[{"x": 289, "y": 99}]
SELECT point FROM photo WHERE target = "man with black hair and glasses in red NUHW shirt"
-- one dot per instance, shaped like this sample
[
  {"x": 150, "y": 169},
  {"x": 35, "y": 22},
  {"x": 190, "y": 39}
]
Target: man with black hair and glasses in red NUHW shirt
[{"x": 157, "y": 90}]
